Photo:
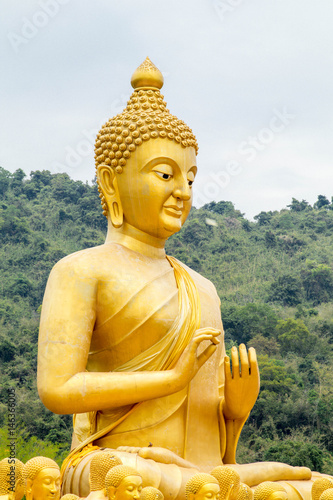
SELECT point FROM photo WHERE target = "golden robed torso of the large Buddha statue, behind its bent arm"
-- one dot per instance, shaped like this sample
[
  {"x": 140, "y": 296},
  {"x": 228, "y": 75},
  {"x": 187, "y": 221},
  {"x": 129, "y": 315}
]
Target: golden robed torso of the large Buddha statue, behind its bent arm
[{"x": 172, "y": 303}]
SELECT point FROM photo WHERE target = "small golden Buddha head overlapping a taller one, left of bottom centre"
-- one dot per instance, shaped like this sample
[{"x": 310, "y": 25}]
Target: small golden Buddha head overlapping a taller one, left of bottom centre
[{"x": 123, "y": 483}]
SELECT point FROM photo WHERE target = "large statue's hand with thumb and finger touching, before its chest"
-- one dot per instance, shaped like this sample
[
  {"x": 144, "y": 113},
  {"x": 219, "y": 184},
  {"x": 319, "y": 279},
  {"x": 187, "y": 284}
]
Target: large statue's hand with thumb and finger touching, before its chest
[{"x": 190, "y": 362}]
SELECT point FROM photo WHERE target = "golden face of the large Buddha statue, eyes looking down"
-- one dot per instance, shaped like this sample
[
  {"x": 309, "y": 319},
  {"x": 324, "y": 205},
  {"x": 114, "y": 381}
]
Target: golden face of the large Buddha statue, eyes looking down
[{"x": 155, "y": 187}]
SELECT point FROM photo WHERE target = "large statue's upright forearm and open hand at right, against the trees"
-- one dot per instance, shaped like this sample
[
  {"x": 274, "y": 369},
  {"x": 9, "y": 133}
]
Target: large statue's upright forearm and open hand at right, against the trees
[{"x": 239, "y": 392}]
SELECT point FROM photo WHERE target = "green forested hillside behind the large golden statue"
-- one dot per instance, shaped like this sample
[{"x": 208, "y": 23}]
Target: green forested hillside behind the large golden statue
[{"x": 274, "y": 277}]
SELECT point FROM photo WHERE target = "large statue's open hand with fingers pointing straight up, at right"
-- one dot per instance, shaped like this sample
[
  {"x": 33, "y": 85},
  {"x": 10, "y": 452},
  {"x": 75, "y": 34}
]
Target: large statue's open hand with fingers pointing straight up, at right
[{"x": 242, "y": 383}]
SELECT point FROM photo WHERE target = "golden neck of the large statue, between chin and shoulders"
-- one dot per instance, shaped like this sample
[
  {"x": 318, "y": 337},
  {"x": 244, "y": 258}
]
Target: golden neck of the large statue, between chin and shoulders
[{"x": 136, "y": 240}]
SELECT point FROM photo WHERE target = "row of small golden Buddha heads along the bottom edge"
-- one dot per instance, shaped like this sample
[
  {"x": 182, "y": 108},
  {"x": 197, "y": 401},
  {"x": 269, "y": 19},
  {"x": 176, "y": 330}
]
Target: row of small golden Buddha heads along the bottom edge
[{"x": 109, "y": 479}]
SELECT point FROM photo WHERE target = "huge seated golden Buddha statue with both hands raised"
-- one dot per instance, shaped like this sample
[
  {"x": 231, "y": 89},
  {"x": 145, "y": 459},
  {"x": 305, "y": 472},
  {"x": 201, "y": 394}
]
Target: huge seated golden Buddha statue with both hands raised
[{"x": 131, "y": 340}]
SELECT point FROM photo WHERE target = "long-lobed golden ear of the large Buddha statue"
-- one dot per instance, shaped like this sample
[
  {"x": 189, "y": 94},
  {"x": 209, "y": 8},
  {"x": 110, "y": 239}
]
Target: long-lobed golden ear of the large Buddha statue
[{"x": 107, "y": 181}]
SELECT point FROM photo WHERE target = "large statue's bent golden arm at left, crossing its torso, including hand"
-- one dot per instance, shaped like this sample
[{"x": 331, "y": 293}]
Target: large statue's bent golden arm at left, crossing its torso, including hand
[{"x": 67, "y": 322}]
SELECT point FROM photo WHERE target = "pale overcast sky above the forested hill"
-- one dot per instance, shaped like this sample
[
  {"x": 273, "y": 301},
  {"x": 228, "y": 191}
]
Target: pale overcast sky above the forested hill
[{"x": 252, "y": 78}]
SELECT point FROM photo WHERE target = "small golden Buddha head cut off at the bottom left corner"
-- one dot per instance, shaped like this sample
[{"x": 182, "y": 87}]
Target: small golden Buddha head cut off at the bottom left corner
[{"x": 11, "y": 479}]
